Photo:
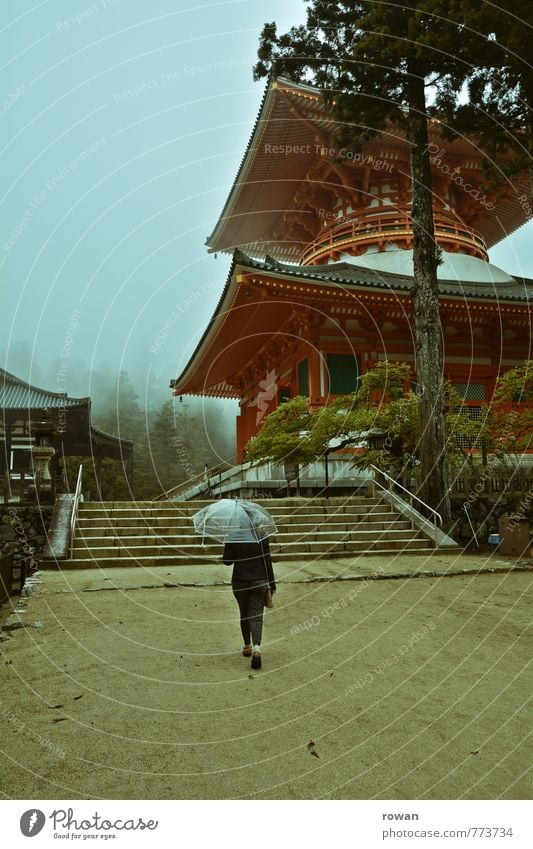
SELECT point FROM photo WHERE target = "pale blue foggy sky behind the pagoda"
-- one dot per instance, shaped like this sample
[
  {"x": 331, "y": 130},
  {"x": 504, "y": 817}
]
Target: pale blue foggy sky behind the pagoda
[{"x": 123, "y": 126}]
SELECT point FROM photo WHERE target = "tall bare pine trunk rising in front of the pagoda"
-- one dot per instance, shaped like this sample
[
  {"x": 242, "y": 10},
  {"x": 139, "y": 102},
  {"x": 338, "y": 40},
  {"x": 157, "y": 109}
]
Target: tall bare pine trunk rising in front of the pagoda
[{"x": 428, "y": 332}]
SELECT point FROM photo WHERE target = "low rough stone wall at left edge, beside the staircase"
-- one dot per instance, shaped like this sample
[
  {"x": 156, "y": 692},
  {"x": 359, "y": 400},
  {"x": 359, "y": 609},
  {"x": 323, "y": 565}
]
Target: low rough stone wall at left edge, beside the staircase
[{"x": 23, "y": 529}]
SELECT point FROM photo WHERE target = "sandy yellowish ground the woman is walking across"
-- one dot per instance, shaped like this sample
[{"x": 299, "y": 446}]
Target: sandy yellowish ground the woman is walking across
[{"x": 414, "y": 688}]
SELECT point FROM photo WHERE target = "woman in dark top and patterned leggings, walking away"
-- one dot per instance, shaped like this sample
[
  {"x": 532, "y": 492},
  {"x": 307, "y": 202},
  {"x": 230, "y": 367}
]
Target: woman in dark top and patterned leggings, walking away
[{"x": 252, "y": 575}]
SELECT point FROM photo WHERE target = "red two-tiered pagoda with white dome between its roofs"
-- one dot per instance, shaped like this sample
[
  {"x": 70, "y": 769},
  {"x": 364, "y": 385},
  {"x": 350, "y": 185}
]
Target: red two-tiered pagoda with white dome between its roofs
[{"x": 319, "y": 289}]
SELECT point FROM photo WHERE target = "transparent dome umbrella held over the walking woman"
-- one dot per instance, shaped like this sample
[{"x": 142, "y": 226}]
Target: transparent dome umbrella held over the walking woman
[{"x": 234, "y": 520}]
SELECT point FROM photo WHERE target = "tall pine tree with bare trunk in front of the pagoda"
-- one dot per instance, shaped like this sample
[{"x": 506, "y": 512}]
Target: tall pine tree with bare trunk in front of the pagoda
[{"x": 374, "y": 63}]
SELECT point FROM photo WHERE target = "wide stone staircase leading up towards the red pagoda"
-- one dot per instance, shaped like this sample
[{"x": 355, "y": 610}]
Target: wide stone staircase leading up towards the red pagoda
[{"x": 149, "y": 533}]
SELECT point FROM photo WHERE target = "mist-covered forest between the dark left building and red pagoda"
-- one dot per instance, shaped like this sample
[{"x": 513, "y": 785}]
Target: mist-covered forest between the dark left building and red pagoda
[{"x": 174, "y": 439}]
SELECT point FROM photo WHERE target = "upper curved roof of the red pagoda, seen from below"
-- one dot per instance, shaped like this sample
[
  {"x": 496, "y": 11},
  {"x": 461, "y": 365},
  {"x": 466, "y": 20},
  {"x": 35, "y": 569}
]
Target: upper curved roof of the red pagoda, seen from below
[{"x": 291, "y": 153}]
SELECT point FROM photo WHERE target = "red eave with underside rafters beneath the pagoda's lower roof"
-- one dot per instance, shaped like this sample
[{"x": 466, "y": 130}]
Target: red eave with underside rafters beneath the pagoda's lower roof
[{"x": 274, "y": 314}]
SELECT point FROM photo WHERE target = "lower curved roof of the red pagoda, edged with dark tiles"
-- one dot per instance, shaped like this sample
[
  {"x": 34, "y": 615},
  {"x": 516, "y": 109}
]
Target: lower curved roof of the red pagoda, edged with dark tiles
[{"x": 242, "y": 323}]
